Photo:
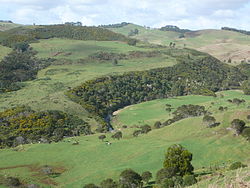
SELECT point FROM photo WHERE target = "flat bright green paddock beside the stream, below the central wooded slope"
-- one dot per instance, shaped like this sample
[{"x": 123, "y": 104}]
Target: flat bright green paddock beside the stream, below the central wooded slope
[{"x": 152, "y": 111}]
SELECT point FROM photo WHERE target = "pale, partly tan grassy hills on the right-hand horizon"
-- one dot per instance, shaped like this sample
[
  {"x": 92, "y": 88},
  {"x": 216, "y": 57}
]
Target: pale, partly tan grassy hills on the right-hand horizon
[{"x": 219, "y": 43}]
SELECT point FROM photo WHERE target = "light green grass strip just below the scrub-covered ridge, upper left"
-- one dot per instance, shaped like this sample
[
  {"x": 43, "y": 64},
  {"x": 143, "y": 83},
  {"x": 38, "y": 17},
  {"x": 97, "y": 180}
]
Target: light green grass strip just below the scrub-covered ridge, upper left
[{"x": 77, "y": 49}]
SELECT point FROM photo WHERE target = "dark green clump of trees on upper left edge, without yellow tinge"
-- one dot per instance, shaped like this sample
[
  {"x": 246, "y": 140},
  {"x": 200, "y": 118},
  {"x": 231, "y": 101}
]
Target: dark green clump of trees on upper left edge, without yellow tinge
[{"x": 19, "y": 66}]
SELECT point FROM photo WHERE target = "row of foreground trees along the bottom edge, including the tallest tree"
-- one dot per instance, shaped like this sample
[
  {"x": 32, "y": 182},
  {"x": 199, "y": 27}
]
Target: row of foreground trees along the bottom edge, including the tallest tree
[{"x": 177, "y": 171}]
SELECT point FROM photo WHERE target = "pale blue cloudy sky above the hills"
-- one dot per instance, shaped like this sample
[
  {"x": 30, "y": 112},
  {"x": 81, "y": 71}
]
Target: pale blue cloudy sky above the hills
[{"x": 188, "y": 14}]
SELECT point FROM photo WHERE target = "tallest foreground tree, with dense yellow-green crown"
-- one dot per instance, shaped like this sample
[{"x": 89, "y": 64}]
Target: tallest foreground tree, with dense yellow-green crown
[{"x": 179, "y": 159}]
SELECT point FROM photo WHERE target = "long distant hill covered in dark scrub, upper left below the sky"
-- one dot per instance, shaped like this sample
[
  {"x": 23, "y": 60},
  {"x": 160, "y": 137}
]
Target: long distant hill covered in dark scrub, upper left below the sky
[{"x": 33, "y": 33}]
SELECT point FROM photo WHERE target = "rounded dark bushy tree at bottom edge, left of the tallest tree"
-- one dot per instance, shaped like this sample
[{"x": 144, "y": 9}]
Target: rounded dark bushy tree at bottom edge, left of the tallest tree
[{"x": 130, "y": 179}]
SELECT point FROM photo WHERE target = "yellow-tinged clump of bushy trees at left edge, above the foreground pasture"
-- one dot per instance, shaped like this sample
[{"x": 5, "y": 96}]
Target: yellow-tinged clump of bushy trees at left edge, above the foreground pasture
[{"x": 22, "y": 125}]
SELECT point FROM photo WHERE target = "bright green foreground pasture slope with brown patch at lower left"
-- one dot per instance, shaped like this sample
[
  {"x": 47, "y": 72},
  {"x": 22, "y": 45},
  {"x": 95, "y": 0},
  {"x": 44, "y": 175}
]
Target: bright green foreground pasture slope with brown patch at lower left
[{"x": 92, "y": 160}]
